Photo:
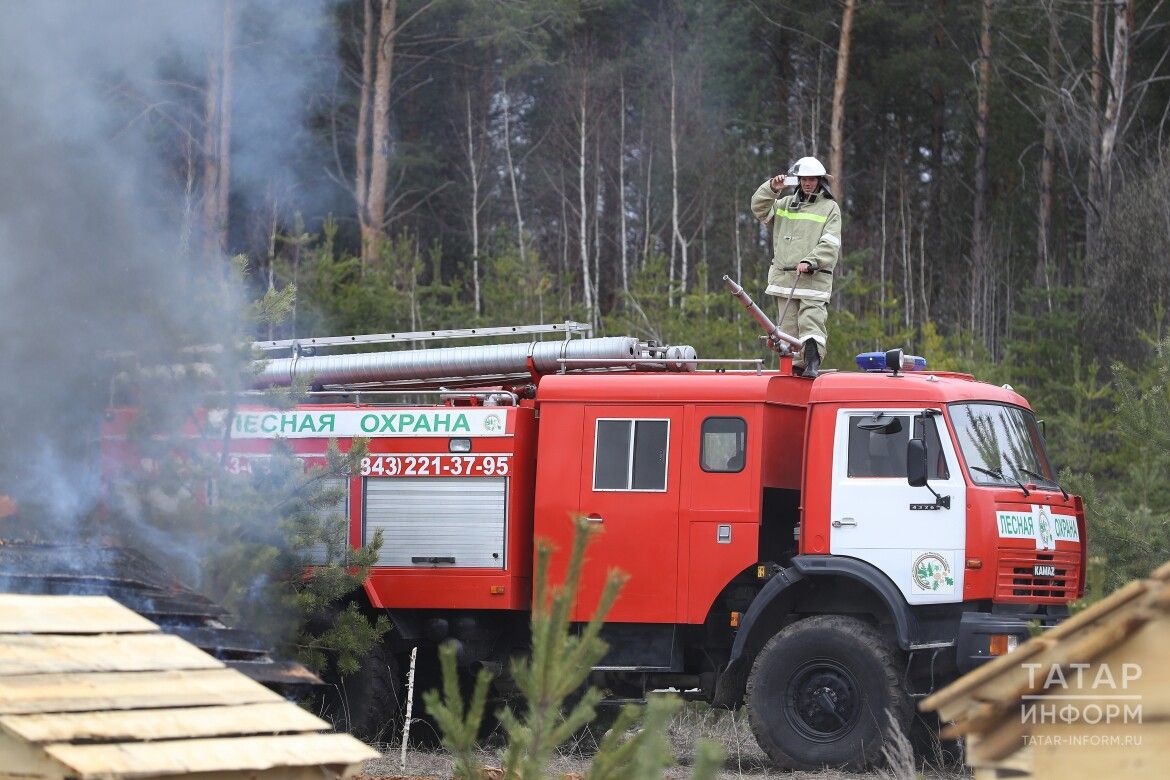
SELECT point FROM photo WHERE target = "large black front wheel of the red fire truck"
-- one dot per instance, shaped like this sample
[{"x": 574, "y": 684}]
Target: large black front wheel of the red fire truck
[{"x": 824, "y": 693}]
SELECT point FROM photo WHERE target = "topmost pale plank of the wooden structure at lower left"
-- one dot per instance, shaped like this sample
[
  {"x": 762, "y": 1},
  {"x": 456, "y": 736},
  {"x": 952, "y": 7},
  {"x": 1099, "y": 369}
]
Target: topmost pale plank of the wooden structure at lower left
[{"x": 37, "y": 615}]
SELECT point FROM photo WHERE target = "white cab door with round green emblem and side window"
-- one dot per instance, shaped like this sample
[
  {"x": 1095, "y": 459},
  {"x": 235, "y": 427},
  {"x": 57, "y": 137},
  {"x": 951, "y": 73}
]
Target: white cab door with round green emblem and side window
[{"x": 921, "y": 550}]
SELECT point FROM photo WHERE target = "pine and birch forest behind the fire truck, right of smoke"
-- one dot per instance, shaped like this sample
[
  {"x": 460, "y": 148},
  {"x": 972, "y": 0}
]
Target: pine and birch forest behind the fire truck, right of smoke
[{"x": 1003, "y": 168}]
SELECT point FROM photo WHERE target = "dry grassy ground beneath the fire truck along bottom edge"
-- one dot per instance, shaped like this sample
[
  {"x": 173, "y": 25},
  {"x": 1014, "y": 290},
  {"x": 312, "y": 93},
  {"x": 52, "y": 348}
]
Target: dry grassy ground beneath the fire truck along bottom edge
[{"x": 745, "y": 758}]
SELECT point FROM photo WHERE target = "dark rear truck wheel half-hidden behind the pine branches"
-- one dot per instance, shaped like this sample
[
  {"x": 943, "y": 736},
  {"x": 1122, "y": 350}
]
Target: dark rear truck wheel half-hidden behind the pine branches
[{"x": 374, "y": 698}]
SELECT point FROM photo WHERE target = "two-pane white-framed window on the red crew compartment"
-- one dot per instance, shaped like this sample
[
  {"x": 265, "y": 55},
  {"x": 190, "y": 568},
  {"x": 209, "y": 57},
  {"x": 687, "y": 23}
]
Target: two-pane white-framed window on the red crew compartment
[{"x": 631, "y": 454}]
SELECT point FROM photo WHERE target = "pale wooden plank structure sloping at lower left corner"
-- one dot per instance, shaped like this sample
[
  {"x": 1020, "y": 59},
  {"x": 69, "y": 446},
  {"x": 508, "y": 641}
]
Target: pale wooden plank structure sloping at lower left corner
[{"x": 91, "y": 689}]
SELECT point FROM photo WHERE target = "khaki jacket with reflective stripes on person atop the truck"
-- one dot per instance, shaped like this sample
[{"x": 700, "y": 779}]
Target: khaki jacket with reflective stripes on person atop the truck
[{"x": 809, "y": 233}]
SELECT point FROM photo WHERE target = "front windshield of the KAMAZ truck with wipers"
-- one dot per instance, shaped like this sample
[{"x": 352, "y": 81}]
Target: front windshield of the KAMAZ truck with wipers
[{"x": 1001, "y": 444}]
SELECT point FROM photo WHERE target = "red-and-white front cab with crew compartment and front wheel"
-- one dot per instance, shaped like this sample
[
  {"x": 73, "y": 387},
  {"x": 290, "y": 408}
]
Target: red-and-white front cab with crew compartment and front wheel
[{"x": 884, "y": 506}]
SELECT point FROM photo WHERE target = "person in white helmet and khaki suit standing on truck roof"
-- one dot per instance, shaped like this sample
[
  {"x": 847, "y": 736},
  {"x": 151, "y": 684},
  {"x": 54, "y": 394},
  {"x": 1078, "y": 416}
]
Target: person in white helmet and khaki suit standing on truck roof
[{"x": 807, "y": 241}]
